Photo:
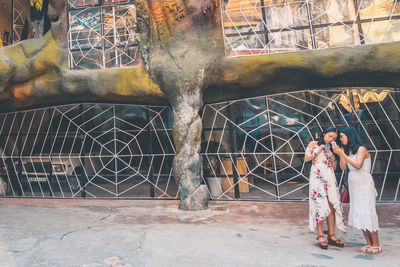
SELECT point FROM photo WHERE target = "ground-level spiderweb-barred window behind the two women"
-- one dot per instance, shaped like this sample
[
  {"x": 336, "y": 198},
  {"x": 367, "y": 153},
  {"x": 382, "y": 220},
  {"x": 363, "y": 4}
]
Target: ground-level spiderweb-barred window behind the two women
[{"x": 254, "y": 148}]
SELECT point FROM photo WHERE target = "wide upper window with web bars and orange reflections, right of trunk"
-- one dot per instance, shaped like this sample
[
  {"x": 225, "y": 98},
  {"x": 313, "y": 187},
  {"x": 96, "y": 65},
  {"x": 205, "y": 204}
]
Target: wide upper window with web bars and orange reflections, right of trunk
[{"x": 254, "y": 27}]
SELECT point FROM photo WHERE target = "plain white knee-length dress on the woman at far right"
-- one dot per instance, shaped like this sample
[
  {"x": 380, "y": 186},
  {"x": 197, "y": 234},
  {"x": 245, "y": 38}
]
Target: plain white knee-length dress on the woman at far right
[{"x": 362, "y": 214}]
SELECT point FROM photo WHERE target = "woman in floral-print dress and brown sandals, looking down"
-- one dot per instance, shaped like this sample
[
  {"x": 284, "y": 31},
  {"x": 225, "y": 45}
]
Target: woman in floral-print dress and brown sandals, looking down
[{"x": 324, "y": 198}]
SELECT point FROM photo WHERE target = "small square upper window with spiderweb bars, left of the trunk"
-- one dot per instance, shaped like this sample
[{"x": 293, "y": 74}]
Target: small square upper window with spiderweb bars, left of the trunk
[{"x": 102, "y": 34}]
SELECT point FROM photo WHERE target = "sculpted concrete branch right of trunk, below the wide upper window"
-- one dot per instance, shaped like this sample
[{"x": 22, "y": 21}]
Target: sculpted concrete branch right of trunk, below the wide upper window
[{"x": 366, "y": 65}]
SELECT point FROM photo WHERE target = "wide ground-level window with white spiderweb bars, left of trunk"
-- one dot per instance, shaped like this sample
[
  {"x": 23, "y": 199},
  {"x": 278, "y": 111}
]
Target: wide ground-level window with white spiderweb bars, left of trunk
[{"x": 88, "y": 150}]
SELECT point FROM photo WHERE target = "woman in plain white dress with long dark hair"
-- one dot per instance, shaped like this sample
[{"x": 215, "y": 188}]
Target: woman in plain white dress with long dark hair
[{"x": 362, "y": 214}]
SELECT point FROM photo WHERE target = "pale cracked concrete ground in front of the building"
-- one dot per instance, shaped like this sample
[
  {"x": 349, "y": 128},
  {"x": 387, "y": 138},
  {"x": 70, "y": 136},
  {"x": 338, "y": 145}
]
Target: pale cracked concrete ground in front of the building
[{"x": 155, "y": 233}]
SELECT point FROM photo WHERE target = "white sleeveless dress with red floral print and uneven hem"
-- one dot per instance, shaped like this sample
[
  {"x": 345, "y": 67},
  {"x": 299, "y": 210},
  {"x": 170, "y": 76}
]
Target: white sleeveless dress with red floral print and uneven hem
[{"x": 323, "y": 185}]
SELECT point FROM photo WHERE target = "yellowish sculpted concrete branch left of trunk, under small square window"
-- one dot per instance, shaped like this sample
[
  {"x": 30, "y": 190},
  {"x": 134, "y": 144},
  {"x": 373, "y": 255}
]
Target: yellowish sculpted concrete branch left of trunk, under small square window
[{"x": 35, "y": 71}]
